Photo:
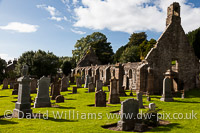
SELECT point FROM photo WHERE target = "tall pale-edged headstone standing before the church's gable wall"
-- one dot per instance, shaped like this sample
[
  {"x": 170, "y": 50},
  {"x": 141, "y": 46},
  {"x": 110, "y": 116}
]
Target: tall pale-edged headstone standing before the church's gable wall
[{"x": 167, "y": 87}]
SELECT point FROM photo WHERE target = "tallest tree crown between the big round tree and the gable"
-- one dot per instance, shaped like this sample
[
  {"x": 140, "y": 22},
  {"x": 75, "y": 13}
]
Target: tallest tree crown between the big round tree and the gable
[{"x": 137, "y": 38}]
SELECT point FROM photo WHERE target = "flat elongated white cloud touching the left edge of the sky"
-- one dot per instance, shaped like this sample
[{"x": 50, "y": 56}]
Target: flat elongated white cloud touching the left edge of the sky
[{"x": 20, "y": 27}]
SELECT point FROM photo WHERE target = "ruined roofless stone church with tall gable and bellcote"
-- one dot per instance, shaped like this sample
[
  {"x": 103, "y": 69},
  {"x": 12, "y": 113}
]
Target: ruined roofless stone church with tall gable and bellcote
[{"x": 172, "y": 51}]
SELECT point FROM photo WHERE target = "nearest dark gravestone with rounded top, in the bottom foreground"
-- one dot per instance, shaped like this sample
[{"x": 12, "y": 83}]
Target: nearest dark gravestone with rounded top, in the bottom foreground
[{"x": 128, "y": 107}]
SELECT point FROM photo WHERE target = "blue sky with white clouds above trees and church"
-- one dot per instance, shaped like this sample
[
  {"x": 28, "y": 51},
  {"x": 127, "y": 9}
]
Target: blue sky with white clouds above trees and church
[{"x": 56, "y": 25}]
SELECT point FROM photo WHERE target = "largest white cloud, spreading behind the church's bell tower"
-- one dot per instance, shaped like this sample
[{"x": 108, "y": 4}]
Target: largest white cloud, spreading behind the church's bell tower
[{"x": 132, "y": 15}]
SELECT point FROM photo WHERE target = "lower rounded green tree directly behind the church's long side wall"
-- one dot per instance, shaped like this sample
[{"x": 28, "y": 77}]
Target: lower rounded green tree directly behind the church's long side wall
[{"x": 130, "y": 54}]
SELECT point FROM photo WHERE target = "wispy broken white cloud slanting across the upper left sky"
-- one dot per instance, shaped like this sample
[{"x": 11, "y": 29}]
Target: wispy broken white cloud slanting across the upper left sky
[{"x": 54, "y": 13}]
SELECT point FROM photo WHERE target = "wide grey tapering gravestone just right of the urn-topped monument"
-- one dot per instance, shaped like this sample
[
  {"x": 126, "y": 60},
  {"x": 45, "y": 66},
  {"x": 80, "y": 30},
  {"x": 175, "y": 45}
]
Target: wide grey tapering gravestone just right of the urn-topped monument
[{"x": 42, "y": 99}]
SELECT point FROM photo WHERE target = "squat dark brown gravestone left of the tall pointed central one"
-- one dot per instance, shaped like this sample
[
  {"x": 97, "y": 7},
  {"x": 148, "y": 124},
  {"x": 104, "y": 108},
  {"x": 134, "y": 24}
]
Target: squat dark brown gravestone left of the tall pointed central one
[{"x": 100, "y": 99}]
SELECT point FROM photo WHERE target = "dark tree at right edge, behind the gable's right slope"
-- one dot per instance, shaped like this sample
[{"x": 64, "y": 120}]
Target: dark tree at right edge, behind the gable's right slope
[{"x": 194, "y": 40}]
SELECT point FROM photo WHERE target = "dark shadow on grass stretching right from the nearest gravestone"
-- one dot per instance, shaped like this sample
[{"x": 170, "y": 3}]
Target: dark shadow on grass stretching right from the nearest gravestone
[{"x": 168, "y": 127}]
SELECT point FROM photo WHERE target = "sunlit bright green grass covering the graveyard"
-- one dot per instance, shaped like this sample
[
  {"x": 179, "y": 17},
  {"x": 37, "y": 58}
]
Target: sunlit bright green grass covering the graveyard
[{"x": 79, "y": 102}]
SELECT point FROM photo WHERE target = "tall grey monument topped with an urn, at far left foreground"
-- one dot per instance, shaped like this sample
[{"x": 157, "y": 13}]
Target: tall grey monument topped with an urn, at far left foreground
[{"x": 23, "y": 105}]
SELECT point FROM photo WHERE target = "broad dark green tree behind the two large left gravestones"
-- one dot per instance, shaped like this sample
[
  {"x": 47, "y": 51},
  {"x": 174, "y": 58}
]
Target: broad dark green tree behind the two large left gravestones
[{"x": 40, "y": 63}]
